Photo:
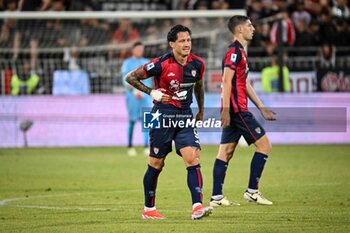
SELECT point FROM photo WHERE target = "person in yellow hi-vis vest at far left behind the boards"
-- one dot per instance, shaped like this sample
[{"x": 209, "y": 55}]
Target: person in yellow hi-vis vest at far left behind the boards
[{"x": 24, "y": 83}]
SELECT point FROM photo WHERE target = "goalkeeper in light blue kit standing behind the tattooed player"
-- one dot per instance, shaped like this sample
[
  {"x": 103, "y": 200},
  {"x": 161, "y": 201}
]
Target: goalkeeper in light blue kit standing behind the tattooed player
[{"x": 135, "y": 99}]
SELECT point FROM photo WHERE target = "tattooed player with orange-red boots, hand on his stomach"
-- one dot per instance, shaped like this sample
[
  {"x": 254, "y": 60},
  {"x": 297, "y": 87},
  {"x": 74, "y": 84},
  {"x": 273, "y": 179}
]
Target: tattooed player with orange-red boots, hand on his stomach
[{"x": 176, "y": 74}]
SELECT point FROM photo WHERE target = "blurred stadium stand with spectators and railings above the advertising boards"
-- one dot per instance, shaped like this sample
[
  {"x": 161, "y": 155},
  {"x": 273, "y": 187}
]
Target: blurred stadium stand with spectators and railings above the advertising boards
[{"x": 95, "y": 45}]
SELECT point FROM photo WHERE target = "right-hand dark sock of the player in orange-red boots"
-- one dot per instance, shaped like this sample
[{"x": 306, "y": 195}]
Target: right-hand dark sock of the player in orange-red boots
[{"x": 195, "y": 183}]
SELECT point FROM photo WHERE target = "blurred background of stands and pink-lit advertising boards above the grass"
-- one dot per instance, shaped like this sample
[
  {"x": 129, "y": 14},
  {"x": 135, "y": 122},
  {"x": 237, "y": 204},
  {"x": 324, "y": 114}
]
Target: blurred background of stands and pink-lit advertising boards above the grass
[{"x": 60, "y": 63}]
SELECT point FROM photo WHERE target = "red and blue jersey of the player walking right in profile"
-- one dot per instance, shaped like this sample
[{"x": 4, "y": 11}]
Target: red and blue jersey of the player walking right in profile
[{"x": 236, "y": 59}]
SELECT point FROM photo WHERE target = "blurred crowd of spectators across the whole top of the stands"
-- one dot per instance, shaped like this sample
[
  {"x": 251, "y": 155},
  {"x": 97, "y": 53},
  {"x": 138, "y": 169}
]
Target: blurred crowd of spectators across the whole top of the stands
[{"x": 305, "y": 23}]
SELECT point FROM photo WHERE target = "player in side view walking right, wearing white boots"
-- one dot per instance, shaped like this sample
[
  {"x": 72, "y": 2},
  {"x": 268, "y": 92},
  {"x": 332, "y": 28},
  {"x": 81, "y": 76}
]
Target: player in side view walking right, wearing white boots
[{"x": 236, "y": 119}]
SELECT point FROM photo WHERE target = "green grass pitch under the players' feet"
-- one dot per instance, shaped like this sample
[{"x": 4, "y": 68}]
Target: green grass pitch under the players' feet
[{"x": 100, "y": 190}]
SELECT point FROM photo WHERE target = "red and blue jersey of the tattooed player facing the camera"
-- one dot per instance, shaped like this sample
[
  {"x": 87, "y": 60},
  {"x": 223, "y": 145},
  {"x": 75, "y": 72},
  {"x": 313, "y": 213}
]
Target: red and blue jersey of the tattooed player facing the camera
[{"x": 178, "y": 80}]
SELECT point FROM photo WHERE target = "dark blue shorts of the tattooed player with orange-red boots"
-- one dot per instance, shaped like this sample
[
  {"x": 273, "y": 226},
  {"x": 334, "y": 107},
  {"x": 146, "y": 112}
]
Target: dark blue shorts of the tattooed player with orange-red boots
[{"x": 161, "y": 138}]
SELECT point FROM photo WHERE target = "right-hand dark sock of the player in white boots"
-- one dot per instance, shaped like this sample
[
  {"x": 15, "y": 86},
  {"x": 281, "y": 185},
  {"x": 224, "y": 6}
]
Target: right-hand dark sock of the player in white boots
[{"x": 256, "y": 169}]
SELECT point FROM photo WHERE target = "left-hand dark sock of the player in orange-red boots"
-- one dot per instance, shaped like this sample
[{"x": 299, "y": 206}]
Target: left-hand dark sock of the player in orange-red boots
[{"x": 150, "y": 184}]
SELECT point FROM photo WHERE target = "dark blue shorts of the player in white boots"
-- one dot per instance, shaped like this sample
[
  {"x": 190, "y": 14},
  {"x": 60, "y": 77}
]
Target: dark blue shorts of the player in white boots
[{"x": 242, "y": 124}]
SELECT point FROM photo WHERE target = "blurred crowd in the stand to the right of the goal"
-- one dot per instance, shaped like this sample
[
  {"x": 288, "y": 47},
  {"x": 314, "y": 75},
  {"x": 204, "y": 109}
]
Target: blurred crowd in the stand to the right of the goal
[{"x": 305, "y": 23}]
